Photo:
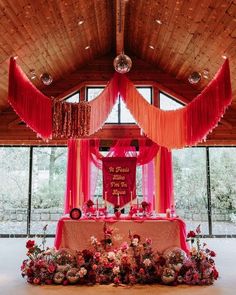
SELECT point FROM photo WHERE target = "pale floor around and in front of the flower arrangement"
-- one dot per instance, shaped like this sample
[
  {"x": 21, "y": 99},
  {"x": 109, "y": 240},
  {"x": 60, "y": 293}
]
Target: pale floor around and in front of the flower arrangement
[{"x": 12, "y": 252}]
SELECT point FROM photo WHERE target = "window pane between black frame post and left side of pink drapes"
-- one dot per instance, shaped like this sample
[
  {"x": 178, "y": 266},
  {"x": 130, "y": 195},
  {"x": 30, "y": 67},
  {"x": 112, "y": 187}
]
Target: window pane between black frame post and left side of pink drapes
[{"x": 48, "y": 188}]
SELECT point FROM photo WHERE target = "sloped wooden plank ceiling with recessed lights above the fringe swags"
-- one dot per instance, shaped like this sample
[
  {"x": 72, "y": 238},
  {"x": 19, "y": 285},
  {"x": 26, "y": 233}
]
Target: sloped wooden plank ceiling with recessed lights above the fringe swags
[{"x": 76, "y": 41}]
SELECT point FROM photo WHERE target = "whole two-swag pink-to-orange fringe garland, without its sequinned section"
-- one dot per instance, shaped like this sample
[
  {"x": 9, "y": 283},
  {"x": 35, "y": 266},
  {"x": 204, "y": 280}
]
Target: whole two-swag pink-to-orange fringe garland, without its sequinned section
[{"x": 171, "y": 129}]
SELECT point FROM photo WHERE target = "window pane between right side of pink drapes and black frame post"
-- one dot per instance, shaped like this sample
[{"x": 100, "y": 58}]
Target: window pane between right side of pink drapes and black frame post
[{"x": 190, "y": 187}]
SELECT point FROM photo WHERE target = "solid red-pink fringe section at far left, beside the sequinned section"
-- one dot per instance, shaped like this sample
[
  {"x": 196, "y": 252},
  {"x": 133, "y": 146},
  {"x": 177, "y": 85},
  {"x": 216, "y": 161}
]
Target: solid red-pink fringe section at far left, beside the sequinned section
[{"x": 34, "y": 108}]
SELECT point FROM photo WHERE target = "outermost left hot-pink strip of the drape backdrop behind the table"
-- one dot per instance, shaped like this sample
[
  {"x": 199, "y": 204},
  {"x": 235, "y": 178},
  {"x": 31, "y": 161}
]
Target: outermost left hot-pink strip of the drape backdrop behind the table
[{"x": 71, "y": 180}]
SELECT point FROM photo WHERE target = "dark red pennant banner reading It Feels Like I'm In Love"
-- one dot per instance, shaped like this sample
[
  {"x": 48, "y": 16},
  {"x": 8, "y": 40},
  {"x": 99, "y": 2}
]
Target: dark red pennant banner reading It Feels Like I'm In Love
[{"x": 119, "y": 180}]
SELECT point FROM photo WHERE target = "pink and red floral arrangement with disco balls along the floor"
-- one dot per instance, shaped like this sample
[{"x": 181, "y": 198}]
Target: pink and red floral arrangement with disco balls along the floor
[{"x": 132, "y": 263}]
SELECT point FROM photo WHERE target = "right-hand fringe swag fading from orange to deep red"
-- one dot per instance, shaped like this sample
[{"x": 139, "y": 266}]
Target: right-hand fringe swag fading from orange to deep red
[{"x": 186, "y": 126}]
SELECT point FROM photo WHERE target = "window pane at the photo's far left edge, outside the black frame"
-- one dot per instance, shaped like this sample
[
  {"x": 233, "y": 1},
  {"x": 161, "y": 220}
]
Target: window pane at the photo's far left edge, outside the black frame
[{"x": 14, "y": 185}]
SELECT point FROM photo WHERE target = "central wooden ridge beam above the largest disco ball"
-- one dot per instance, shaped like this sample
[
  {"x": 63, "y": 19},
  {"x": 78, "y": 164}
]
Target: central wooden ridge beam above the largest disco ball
[{"x": 120, "y": 25}]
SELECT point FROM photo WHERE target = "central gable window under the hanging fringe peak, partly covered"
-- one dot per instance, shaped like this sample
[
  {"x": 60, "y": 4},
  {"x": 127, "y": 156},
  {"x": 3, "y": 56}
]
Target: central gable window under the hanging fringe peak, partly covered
[{"x": 120, "y": 113}]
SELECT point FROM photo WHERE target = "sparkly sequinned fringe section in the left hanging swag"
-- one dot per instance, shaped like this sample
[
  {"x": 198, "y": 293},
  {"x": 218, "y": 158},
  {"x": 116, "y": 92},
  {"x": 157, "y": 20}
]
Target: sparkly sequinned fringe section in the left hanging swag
[{"x": 71, "y": 120}]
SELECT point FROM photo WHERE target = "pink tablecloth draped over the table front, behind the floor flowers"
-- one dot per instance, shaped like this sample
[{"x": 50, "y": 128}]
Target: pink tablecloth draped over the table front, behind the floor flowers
[{"x": 165, "y": 233}]
